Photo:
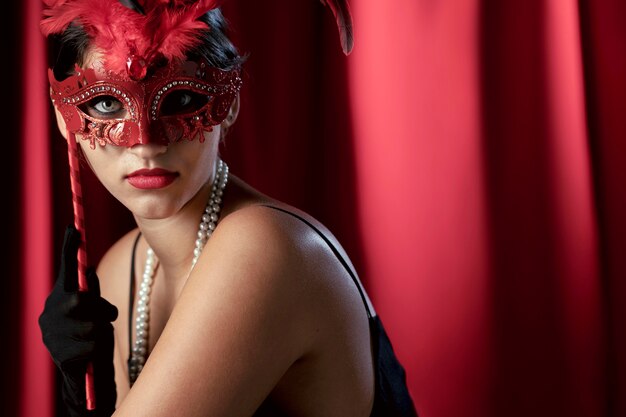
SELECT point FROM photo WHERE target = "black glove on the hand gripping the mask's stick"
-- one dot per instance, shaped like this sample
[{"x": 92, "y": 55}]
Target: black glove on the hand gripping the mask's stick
[{"x": 76, "y": 329}]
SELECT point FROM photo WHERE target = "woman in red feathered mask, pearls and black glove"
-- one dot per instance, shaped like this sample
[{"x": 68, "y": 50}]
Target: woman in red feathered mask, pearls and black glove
[{"x": 239, "y": 304}]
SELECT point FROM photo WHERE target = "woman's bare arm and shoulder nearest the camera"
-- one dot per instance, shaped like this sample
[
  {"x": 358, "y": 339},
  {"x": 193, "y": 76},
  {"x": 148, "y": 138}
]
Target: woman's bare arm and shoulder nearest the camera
[{"x": 242, "y": 319}]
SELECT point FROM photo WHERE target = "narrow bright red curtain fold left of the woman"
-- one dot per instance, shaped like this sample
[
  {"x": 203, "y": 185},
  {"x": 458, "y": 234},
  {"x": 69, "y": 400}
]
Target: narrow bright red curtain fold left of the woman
[{"x": 36, "y": 382}]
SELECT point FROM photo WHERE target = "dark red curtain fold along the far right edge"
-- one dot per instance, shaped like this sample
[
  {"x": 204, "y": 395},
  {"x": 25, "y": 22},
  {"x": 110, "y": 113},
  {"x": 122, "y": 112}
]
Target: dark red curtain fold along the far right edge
[{"x": 603, "y": 27}]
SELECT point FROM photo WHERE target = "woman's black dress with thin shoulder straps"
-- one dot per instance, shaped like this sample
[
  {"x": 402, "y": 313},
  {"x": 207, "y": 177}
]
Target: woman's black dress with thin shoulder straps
[{"x": 391, "y": 396}]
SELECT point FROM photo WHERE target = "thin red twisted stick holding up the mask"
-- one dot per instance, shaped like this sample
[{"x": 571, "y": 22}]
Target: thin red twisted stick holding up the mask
[{"x": 79, "y": 223}]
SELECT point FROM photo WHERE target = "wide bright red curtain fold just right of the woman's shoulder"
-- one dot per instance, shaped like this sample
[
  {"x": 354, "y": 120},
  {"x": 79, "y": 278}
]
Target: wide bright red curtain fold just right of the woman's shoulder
[{"x": 414, "y": 85}]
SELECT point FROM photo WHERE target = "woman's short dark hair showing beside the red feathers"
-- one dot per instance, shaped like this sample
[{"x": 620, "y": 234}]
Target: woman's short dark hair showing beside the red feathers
[{"x": 218, "y": 50}]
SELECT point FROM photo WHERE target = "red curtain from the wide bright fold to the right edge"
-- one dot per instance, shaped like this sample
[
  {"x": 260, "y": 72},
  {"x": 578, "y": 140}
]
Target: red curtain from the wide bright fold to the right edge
[{"x": 488, "y": 151}]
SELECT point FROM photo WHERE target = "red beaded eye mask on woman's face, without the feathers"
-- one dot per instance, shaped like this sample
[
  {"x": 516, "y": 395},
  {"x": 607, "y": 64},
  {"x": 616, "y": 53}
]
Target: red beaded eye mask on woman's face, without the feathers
[{"x": 176, "y": 102}]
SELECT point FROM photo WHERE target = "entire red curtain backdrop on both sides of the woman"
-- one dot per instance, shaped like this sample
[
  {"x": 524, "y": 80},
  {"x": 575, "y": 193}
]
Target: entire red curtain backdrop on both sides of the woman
[{"x": 470, "y": 155}]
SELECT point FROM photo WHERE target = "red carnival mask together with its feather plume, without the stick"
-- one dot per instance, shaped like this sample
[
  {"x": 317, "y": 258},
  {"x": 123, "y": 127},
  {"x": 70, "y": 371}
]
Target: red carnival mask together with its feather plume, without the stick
[{"x": 132, "y": 77}]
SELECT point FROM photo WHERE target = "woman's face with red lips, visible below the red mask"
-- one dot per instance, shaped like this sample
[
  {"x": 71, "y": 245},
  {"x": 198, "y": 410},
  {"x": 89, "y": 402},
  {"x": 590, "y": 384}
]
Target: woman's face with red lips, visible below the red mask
[{"x": 152, "y": 179}]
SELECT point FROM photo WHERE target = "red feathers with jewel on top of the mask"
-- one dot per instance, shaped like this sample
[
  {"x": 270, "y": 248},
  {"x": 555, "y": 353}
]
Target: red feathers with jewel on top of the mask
[{"x": 163, "y": 28}]
